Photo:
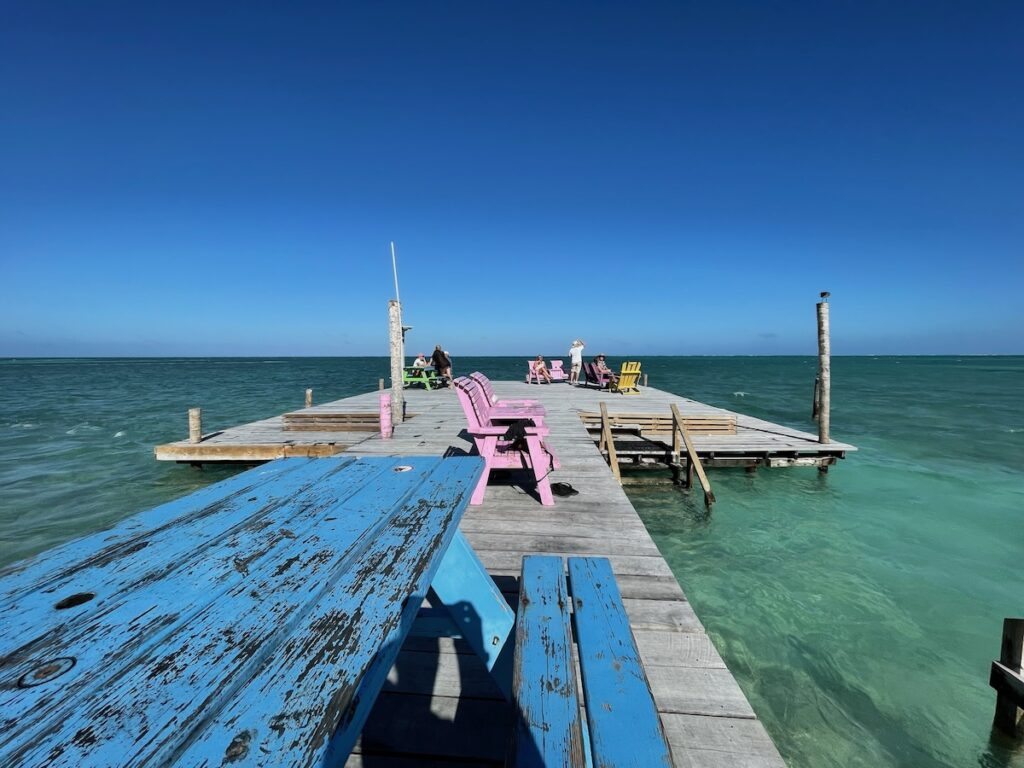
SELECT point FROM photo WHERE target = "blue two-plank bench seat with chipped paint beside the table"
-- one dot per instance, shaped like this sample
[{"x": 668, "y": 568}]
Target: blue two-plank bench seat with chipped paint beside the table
[{"x": 622, "y": 726}]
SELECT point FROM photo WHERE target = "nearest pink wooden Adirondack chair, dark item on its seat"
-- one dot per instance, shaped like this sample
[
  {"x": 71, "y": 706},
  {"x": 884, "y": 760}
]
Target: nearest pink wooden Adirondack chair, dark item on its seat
[{"x": 499, "y": 453}]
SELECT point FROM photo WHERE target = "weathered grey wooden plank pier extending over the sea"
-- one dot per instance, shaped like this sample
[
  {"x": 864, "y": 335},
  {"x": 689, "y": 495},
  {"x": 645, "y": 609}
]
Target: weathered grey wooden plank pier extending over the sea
[{"x": 440, "y": 706}]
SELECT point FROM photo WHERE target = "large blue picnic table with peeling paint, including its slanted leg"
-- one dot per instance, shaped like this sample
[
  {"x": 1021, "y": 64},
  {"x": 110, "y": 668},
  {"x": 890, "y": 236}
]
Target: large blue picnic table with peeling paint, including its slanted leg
[{"x": 252, "y": 623}]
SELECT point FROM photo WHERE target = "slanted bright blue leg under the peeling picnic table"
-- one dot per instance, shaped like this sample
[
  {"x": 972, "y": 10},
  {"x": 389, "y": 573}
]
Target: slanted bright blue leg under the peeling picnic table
[{"x": 478, "y": 609}]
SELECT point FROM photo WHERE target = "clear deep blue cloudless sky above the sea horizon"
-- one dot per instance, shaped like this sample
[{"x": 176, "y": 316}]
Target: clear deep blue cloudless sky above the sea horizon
[{"x": 218, "y": 179}]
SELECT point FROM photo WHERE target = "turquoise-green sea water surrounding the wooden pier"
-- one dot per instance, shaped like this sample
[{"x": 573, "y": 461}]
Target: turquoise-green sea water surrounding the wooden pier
[{"x": 860, "y": 611}]
